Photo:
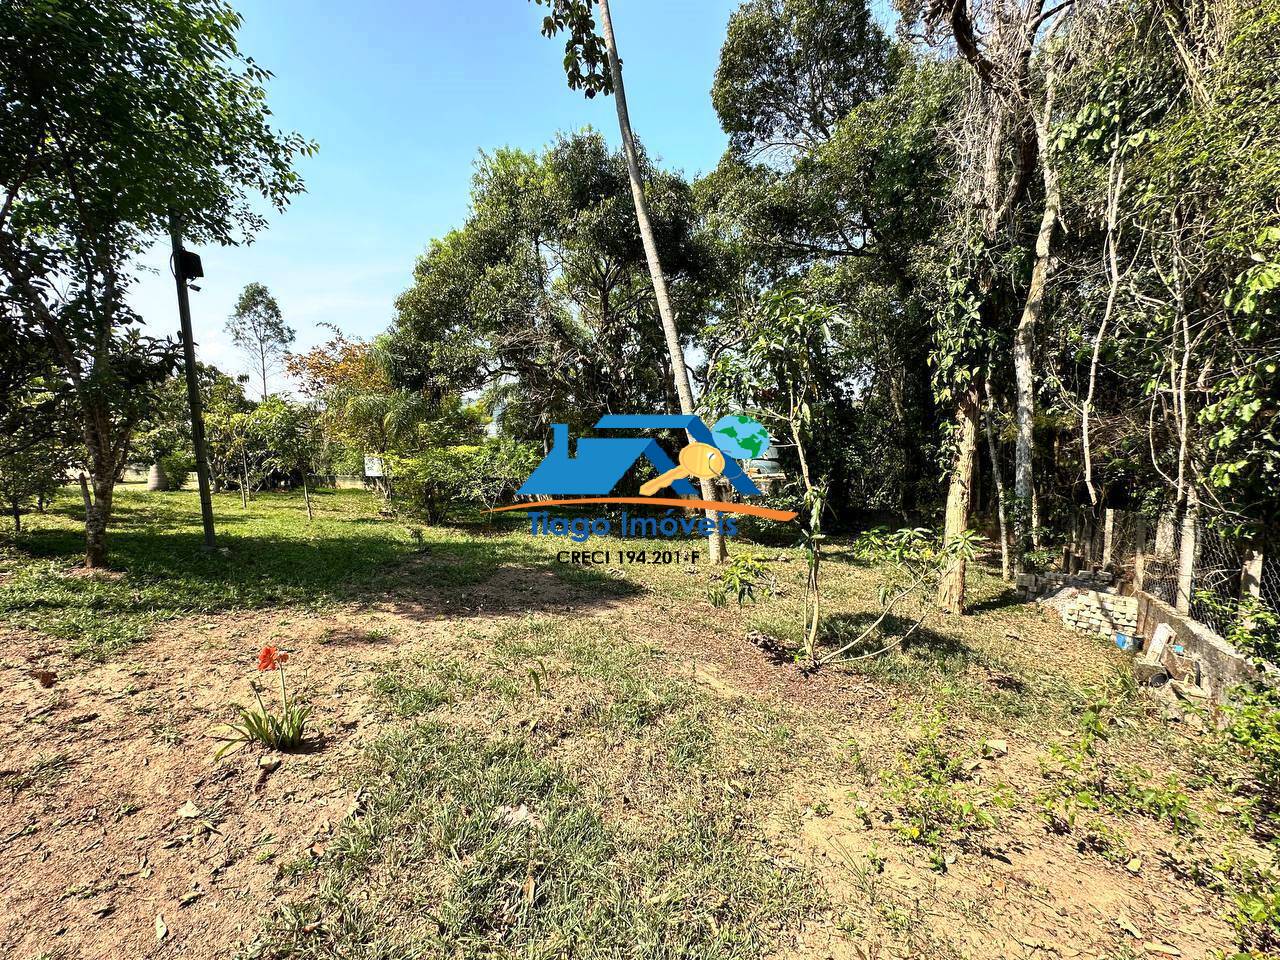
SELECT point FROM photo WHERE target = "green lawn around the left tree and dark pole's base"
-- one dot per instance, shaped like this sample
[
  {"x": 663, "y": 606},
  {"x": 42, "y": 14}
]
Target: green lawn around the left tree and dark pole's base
[{"x": 271, "y": 556}]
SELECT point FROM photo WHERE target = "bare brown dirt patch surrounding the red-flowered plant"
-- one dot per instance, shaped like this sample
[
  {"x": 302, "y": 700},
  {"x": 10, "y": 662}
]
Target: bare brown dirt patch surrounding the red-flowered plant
[{"x": 121, "y": 836}]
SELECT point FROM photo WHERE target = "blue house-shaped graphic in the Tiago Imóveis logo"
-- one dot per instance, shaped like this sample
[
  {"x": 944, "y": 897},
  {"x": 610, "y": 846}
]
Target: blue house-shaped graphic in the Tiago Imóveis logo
[{"x": 600, "y": 463}]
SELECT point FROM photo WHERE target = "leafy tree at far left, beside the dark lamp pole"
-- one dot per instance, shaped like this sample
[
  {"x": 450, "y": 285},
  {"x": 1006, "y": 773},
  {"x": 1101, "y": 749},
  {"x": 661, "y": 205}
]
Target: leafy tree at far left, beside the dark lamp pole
[{"x": 95, "y": 154}]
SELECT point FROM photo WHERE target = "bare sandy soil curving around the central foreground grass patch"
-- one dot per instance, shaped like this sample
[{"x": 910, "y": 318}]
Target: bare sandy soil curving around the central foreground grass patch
[{"x": 122, "y": 838}]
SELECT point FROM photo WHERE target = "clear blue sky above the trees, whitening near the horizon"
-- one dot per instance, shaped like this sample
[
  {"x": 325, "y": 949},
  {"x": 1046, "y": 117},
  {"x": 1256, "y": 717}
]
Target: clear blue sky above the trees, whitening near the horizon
[{"x": 401, "y": 97}]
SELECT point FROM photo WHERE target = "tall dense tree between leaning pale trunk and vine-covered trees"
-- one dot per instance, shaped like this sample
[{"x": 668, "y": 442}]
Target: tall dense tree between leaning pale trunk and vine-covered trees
[{"x": 849, "y": 190}]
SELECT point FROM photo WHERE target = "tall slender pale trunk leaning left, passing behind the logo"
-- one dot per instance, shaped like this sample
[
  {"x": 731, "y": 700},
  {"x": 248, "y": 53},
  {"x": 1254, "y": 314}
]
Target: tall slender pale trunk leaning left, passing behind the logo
[{"x": 680, "y": 372}]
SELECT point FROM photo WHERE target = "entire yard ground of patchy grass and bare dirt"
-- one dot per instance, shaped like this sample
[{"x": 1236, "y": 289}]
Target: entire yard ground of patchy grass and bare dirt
[{"x": 513, "y": 757}]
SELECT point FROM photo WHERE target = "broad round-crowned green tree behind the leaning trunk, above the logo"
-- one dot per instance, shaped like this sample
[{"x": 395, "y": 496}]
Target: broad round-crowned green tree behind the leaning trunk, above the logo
[{"x": 542, "y": 298}]
